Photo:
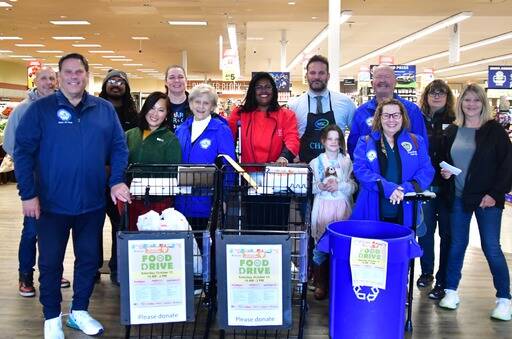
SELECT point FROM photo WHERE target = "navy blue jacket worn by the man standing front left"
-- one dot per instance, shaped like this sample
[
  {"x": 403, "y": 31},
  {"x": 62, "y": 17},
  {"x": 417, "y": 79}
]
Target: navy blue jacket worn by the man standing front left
[{"x": 61, "y": 152}]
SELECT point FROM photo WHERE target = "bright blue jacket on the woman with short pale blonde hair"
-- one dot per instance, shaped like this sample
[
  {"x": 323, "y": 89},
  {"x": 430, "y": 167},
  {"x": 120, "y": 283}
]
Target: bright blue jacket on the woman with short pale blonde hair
[{"x": 216, "y": 139}]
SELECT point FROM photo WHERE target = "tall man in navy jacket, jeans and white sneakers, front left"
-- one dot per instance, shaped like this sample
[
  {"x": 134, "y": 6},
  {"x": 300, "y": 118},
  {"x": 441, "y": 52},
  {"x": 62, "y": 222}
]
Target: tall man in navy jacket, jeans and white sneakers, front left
[{"x": 63, "y": 144}]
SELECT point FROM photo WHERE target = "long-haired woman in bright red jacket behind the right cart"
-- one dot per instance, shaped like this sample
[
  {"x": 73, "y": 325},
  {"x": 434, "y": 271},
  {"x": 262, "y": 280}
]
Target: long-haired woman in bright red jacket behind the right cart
[{"x": 268, "y": 134}]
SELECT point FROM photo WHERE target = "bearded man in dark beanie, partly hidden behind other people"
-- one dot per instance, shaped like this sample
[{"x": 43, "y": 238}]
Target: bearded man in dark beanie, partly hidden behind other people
[{"x": 116, "y": 90}]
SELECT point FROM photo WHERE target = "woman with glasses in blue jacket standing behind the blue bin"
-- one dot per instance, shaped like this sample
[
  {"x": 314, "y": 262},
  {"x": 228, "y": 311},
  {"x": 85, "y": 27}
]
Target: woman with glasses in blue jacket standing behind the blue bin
[{"x": 389, "y": 163}]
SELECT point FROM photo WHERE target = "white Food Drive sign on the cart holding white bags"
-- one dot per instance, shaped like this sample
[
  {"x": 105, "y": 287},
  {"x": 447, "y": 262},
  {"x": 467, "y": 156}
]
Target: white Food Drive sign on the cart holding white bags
[{"x": 157, "y": 281}]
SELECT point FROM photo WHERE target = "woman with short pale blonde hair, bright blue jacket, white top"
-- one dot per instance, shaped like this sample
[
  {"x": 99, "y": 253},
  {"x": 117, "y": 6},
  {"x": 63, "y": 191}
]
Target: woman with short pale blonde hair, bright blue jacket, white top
[{"x": 202, "y": 138}]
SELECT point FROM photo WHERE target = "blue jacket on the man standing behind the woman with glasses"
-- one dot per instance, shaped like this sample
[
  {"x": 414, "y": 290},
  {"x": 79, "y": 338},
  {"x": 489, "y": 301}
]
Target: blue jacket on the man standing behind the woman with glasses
[{"x": 363, "y": 118}]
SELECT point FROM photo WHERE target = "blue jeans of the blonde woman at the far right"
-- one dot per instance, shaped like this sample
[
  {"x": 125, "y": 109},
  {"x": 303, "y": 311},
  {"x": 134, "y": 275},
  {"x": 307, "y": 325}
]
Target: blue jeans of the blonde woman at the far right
[{"x": 489, "y": 227}]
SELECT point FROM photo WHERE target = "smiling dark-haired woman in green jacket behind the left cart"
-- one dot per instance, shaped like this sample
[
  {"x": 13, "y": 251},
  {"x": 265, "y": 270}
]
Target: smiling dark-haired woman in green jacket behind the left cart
[{"x": 152, "y": 142}]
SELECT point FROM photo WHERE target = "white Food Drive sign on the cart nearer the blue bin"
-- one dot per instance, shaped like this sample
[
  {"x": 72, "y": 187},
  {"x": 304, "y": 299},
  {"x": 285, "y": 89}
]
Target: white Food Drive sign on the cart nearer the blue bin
[{"x": 254, "y": 285}]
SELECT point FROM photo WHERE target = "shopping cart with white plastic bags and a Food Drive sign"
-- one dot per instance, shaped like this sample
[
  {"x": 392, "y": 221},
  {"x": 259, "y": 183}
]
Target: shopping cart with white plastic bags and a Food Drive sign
[{"x": 188, "y": 188}]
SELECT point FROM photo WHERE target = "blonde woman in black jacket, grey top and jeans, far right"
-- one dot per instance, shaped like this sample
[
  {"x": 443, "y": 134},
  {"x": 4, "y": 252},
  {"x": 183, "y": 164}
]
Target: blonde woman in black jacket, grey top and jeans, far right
[{"x": 478, "y": 146}]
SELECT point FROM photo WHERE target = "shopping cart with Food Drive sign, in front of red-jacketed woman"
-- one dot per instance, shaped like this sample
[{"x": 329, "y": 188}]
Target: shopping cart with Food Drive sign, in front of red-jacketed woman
[{"x": 262, "y": 252}]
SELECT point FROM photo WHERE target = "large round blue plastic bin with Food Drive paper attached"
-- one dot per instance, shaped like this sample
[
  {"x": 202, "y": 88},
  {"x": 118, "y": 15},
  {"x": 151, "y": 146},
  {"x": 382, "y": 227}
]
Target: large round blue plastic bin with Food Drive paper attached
[{"x": 358, "y": 311}]
